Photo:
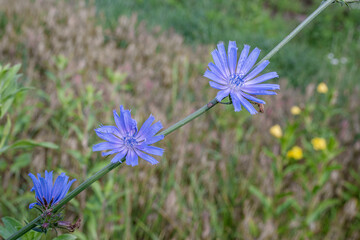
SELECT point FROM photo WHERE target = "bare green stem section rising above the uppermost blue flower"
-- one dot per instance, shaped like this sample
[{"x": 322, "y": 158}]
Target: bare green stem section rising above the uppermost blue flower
[{"x": 296, "y": 30}]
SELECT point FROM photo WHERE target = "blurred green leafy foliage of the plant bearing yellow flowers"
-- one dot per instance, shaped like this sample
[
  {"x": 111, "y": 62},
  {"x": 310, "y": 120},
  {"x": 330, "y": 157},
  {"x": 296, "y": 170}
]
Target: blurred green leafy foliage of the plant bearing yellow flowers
[{"x": 311, "y": 173}]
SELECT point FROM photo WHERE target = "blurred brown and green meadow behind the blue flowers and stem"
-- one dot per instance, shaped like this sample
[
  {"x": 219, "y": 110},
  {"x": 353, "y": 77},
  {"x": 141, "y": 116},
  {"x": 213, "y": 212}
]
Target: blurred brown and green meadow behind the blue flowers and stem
[{"x": 224, "y": 175}]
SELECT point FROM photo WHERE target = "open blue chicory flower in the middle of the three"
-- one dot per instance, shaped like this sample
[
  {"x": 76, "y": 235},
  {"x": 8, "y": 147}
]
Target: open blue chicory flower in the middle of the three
[{"x": 126, "y": 140}]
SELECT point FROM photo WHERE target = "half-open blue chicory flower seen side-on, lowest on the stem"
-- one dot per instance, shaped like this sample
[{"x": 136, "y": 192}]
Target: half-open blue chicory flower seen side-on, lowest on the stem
[{"x": 48, "y": 194}]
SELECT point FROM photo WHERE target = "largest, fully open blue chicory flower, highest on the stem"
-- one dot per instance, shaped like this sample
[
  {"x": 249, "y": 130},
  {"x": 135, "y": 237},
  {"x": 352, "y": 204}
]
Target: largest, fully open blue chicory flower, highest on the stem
[{"x": 233, "y": 78}]
